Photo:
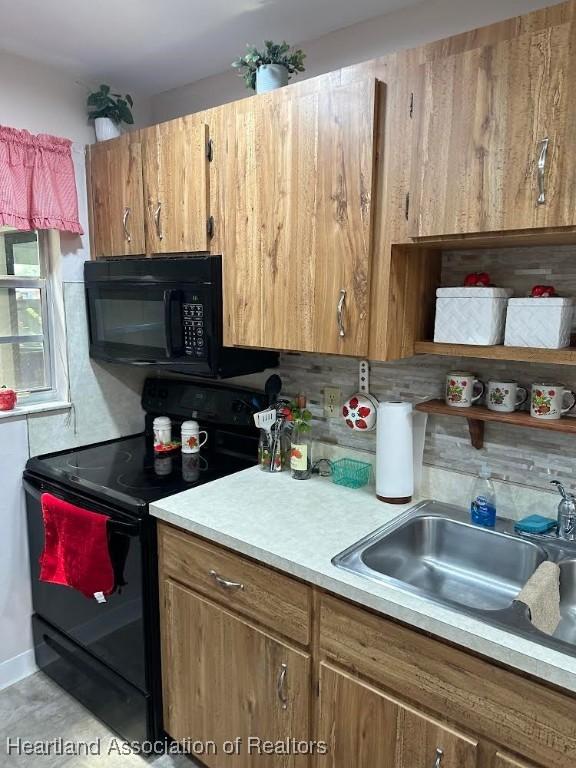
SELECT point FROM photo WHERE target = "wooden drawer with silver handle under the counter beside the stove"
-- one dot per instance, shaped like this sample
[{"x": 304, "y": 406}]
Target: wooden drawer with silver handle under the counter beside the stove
[{"x": 276, "y": 601}]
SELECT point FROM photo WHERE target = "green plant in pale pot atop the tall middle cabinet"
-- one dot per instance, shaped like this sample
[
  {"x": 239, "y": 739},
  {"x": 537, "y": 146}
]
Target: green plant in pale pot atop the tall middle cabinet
[{"x": 271, "y": 68}]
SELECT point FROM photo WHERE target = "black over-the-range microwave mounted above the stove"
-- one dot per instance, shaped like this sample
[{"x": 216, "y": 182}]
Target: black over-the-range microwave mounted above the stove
[{"x": 164, "y": 313}]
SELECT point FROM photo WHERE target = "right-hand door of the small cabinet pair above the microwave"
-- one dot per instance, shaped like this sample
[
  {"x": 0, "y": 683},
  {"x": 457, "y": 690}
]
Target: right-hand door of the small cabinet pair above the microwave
[{"x": 176, "y": 186}]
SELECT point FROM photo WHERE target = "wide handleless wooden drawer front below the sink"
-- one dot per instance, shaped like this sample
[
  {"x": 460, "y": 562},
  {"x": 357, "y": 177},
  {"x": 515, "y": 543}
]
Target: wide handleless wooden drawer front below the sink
[{"x": 510, "y": 710}]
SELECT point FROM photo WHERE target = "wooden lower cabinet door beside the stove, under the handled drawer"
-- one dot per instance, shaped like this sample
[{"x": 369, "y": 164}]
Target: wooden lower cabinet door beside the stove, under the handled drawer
[{"x": 223, "y": 679}]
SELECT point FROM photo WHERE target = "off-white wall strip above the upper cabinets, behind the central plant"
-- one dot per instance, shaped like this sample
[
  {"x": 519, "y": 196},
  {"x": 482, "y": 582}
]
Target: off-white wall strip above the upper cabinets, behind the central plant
[{"x": 406, "y": 28}]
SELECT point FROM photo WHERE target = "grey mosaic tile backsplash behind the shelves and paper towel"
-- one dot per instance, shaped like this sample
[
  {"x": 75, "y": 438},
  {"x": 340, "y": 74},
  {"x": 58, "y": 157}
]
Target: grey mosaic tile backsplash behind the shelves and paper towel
[{"x": 530, "y": 457}]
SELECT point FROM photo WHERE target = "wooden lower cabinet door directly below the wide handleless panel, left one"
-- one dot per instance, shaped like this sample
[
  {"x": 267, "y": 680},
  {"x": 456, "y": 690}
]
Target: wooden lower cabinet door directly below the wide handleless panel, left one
[{"x": 365, "y": 728}]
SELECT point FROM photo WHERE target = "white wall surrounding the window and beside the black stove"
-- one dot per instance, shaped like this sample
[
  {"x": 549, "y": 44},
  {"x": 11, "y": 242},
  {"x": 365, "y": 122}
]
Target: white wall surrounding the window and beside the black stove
[{"x": 45, "y": 100}]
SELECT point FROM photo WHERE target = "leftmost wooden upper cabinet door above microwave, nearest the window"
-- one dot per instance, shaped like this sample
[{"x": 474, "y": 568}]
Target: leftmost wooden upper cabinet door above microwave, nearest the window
[{"x": 116, "y": 203}]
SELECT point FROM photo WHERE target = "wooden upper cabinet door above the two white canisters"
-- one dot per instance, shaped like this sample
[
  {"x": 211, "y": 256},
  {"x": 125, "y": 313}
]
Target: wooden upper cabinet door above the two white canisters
[{"x": 496, "y": 145}]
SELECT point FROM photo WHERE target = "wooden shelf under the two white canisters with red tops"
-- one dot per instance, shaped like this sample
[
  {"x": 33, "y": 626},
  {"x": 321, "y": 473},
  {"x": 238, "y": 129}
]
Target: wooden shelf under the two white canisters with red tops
[{"x": 566, "y": 356}]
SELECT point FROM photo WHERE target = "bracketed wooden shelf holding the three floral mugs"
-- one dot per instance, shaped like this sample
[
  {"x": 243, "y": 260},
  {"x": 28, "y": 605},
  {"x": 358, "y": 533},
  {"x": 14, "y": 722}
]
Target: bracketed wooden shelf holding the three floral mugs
[{"x": 476, "y": 416}]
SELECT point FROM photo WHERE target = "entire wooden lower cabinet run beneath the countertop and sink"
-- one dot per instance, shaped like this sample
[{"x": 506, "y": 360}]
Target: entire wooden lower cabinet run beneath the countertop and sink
[{"x": 375, "y": 693}]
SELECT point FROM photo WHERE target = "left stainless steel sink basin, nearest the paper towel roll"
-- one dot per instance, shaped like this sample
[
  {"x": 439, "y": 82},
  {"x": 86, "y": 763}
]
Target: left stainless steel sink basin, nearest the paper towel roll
[{"x": 447, "y": 559}]
